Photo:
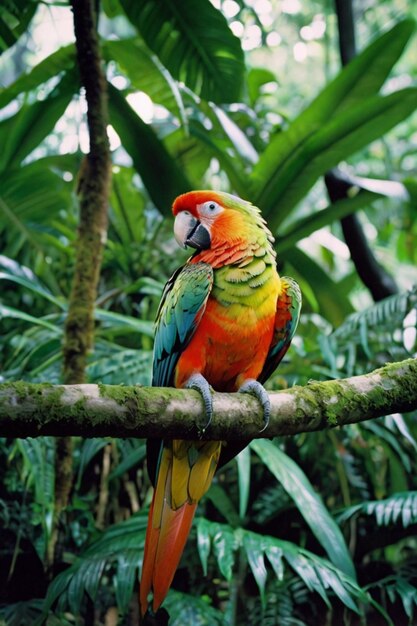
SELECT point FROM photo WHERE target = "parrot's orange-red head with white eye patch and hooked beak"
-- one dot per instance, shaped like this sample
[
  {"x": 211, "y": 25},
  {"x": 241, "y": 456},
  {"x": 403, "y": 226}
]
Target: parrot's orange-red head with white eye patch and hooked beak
[{"x": 215, "y": 220}]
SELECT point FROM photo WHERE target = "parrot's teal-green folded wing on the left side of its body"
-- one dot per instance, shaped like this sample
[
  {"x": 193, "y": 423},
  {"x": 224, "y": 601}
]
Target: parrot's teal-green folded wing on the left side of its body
[{"x": 182, "y": 305}]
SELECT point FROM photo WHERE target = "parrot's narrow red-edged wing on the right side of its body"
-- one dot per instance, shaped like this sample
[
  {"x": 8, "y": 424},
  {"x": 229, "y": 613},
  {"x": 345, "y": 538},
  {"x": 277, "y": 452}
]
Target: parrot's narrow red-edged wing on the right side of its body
[{"x": 286, "y": 321}]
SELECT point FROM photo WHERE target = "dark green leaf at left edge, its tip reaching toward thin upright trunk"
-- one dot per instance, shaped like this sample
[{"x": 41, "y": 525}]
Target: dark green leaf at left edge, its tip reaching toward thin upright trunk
[{"x": 23, "y": 132}]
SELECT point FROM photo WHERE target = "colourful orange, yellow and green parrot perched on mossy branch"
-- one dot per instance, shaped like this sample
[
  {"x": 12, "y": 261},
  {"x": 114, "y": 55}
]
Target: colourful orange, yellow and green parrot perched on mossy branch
[{"x": 225, "y": 321}]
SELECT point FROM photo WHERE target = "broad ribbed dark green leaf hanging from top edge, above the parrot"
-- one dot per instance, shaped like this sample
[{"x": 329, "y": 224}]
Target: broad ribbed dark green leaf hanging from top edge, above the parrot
[{"x": 194, "y": 43}]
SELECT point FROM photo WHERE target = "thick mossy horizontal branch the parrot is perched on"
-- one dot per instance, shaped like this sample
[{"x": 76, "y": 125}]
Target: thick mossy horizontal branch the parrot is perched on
[{"x": 103, "y": 410}]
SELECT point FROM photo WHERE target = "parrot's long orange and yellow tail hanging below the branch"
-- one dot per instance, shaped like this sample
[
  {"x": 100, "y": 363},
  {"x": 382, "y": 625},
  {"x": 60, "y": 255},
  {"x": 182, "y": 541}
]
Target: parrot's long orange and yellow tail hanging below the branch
[{"x": 185, "y": 473}]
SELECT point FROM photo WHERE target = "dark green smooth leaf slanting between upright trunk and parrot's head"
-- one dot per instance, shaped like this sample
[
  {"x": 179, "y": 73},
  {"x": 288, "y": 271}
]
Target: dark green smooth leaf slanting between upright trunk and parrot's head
[{"x": 160, "y": 174}]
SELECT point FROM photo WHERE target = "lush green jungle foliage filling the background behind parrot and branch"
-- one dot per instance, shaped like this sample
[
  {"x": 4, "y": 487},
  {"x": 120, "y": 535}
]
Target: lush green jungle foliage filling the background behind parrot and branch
[{"x": 248, "y": 97}]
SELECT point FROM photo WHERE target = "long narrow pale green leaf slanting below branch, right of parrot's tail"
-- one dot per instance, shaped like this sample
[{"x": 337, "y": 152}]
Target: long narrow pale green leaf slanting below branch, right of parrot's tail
[{"x": 308, "y": 503}]
